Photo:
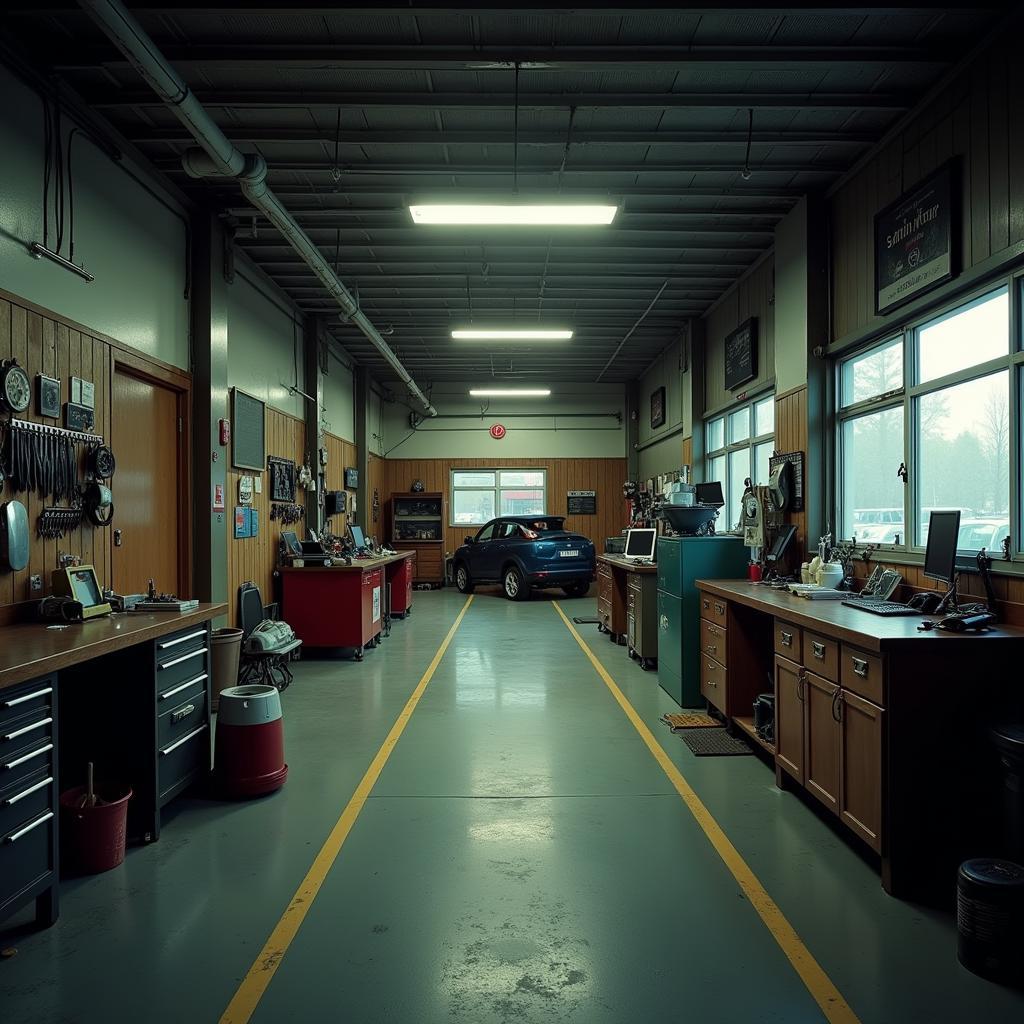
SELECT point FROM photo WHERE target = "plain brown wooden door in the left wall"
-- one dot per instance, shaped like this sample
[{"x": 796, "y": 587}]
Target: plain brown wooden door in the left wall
[{"x": 147, "y": 485}]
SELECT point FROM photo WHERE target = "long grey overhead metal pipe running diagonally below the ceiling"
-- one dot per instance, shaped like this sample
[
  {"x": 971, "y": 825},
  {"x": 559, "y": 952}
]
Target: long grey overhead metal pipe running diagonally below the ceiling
[{"x": 219, "y": 157}]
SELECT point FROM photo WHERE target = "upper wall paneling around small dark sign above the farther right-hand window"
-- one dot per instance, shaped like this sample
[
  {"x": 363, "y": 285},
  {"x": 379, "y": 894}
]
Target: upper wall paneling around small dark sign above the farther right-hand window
[{"x": 753, "y": 295}]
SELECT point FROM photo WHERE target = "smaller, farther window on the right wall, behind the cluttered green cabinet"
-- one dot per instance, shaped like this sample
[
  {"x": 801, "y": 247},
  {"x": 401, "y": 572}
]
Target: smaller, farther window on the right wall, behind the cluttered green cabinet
[{"x": 738, "y": 448}]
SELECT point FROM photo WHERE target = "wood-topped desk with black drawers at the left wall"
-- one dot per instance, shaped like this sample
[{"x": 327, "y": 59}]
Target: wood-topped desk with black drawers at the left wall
[{"x": 131, "y": 694}]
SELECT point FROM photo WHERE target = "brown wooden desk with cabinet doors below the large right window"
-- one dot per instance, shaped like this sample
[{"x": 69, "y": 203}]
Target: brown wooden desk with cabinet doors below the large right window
[{"x": 885, "y": 727}]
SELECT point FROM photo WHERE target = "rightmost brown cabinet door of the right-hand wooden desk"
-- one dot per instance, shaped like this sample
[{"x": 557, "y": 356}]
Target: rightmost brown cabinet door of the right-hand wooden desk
[{"x": 861, "y": 760}]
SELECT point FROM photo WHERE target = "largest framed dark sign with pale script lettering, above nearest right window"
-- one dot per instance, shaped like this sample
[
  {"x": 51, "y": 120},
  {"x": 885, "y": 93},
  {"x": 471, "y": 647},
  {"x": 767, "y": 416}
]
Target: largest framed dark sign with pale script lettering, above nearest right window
[{"x": 914, "y": 242}]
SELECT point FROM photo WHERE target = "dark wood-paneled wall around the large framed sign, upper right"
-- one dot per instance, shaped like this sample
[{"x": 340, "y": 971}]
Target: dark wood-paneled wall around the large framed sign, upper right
[{"x": 975, "y": 119}]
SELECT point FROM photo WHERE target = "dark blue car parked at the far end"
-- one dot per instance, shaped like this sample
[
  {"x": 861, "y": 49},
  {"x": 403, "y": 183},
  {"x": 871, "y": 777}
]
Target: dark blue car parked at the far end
[{"x": 524, "y": 552}]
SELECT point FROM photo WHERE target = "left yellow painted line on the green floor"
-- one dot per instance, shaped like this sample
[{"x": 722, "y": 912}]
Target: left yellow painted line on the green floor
[{"x": 255, "y": 984}]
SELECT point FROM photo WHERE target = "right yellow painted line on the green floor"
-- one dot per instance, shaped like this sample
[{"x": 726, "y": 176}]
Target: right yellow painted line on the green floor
[{"x": 828, "y": 997}]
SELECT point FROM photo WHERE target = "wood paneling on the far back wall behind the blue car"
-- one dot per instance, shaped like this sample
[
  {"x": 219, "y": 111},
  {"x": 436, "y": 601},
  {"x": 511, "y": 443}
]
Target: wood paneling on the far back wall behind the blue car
[{"x": 604, "y": 476}]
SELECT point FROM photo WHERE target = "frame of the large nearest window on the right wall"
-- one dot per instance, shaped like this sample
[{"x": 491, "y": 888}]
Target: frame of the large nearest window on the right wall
[{"x": 911, "y": 393}]
